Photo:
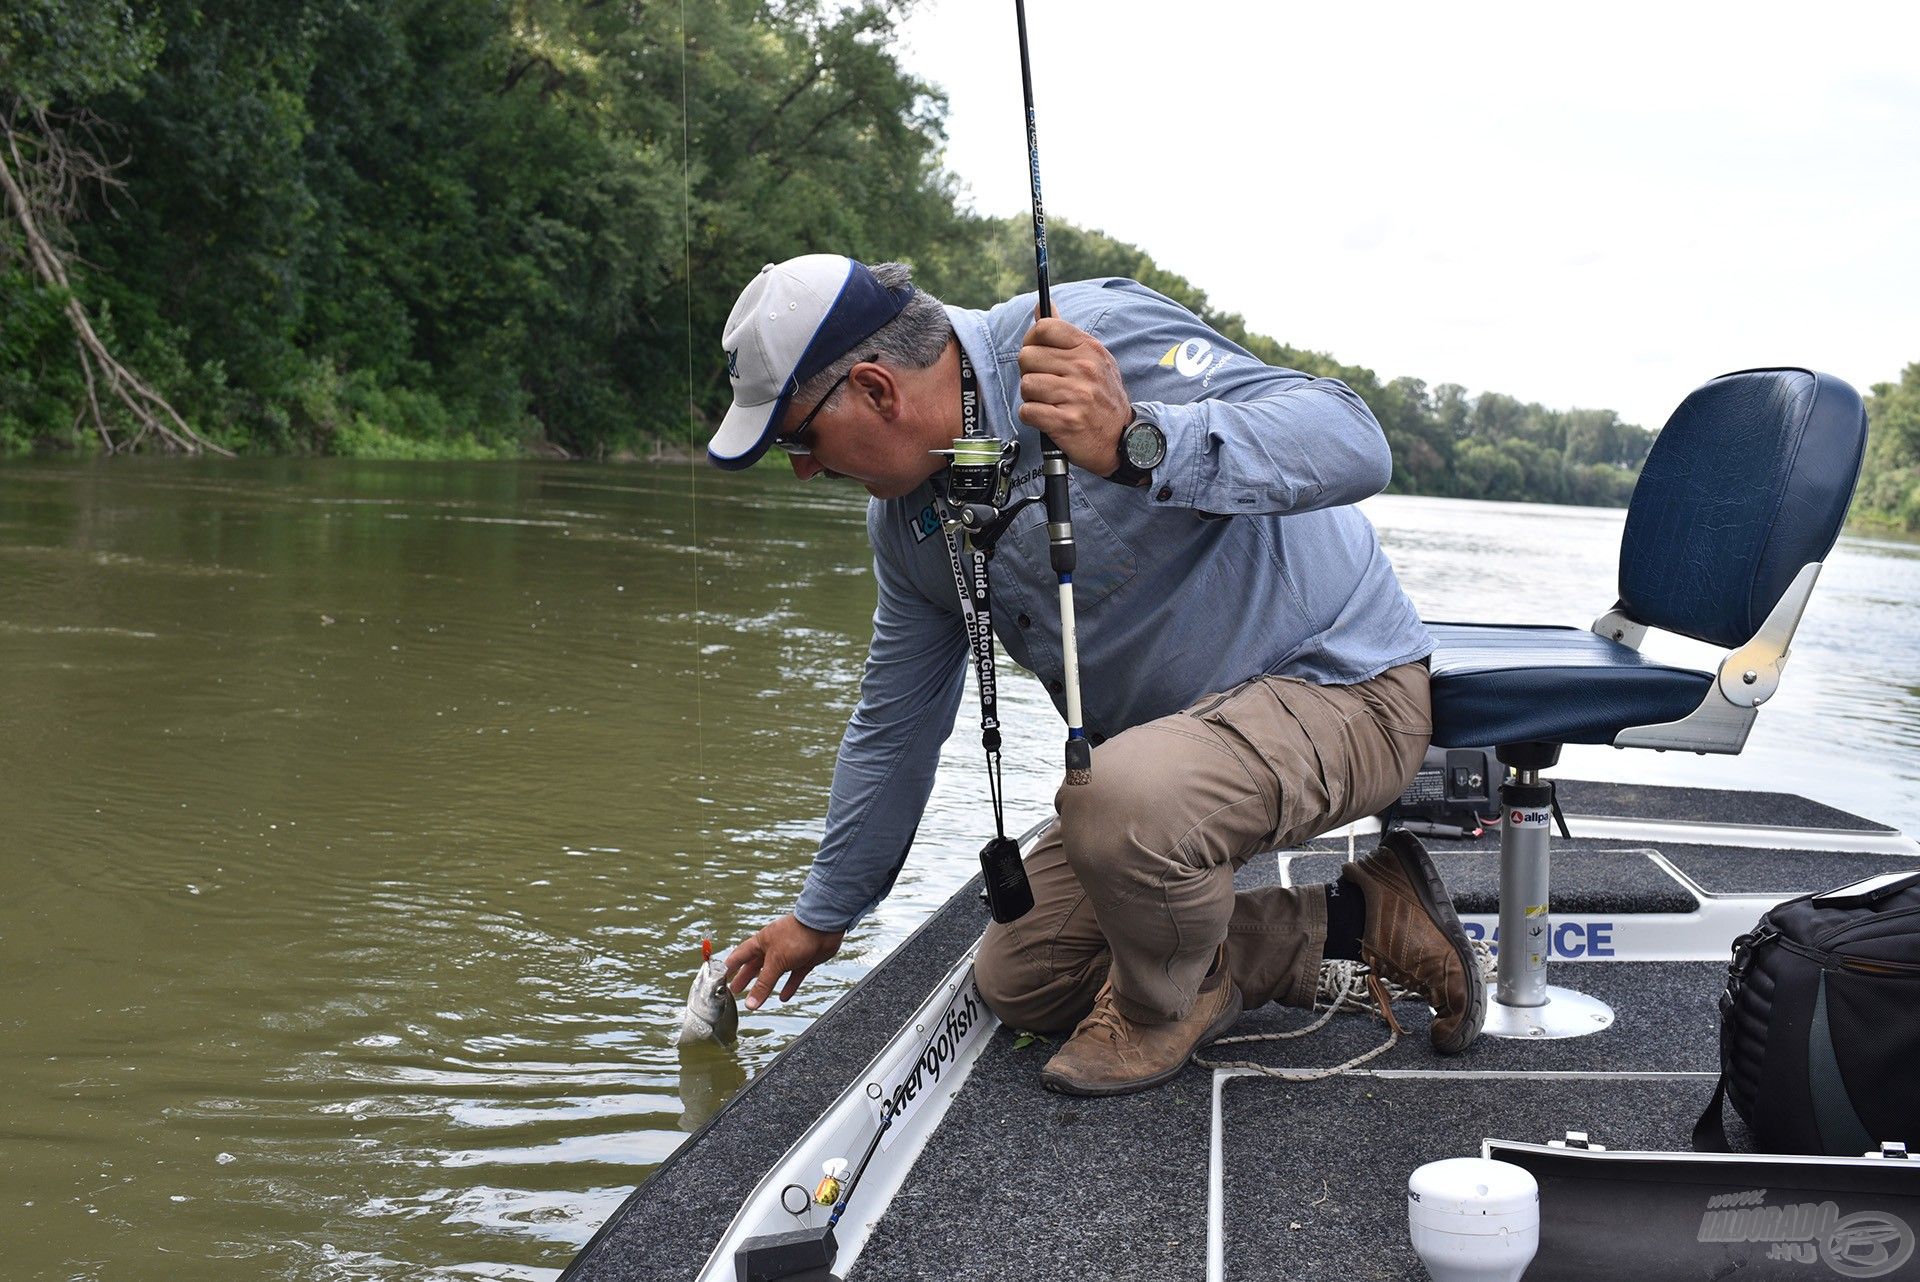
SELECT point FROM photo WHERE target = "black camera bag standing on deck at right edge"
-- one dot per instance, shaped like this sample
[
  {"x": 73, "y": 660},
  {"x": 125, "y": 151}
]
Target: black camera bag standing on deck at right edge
[{"x": 1821, "y": 1024}]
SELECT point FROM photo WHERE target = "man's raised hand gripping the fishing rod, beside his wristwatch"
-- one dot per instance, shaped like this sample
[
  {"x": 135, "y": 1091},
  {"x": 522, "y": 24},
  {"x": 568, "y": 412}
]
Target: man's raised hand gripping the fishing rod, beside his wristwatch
[{"x": 1072, "y": 391}]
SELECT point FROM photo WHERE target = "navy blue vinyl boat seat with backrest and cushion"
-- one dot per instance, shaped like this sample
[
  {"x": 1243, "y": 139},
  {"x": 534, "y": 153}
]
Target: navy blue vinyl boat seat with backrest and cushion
[{"x": 1735, "y": 511}]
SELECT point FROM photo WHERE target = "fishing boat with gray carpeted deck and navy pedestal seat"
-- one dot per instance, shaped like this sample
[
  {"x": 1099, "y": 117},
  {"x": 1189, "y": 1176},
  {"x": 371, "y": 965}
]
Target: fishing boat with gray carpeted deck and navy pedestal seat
[{"x": 1272, "y": 1164}]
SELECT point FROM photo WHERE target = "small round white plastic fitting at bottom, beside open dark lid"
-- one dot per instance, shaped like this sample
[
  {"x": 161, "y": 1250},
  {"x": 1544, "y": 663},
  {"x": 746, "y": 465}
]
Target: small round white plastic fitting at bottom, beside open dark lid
[{"x": 1474, "y": 1220}]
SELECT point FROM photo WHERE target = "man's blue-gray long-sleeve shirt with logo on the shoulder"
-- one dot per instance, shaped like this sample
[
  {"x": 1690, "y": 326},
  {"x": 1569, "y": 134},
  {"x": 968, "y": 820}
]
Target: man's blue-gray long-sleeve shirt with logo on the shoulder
[{"x": 1243, "y": 558}]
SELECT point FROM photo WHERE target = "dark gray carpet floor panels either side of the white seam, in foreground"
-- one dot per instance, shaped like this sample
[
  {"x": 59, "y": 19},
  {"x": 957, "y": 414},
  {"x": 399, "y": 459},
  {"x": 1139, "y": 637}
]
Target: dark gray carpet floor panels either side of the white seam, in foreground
[{"x": 1116, "y": 1189}]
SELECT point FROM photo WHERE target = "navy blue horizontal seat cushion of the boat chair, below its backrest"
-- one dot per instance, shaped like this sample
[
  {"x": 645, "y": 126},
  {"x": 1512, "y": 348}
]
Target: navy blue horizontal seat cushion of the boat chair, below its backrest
[{"x": 1520, "y": 684}]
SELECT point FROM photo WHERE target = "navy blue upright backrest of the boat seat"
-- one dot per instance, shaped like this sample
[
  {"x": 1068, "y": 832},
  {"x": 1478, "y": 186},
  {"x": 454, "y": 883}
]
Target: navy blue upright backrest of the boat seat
[{"x": 1748, "y": 483}]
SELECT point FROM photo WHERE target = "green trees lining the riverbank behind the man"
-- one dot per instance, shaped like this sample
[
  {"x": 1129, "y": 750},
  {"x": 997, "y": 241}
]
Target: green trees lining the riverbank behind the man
[{"x": 469, "y": 227}]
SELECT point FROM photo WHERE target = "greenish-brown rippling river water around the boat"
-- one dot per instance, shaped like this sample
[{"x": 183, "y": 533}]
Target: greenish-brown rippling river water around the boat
[{"x": 362, "y": 824}]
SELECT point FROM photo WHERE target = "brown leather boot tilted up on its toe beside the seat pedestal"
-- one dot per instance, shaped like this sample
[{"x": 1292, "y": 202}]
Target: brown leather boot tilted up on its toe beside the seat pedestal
[{"x": 1416, "y": 941}]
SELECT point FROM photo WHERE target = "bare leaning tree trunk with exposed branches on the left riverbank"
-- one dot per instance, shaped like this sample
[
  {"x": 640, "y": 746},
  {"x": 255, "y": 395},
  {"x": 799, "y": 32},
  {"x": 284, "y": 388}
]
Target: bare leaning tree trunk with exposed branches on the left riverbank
[{"x": 51, "y": 187}]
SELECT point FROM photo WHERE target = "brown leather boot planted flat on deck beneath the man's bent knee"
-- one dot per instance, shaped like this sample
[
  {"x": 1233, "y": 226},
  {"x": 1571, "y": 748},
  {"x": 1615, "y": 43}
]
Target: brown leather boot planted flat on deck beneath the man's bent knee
[{"x": 1113, "y": 1056}]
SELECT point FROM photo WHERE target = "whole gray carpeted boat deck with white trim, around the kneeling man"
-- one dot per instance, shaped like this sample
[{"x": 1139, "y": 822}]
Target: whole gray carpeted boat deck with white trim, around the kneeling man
[{"x": 1232, "y": 1174}]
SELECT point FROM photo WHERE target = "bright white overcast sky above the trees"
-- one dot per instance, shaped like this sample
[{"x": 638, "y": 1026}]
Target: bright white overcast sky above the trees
[{"x": 1575, "y": 204}]
